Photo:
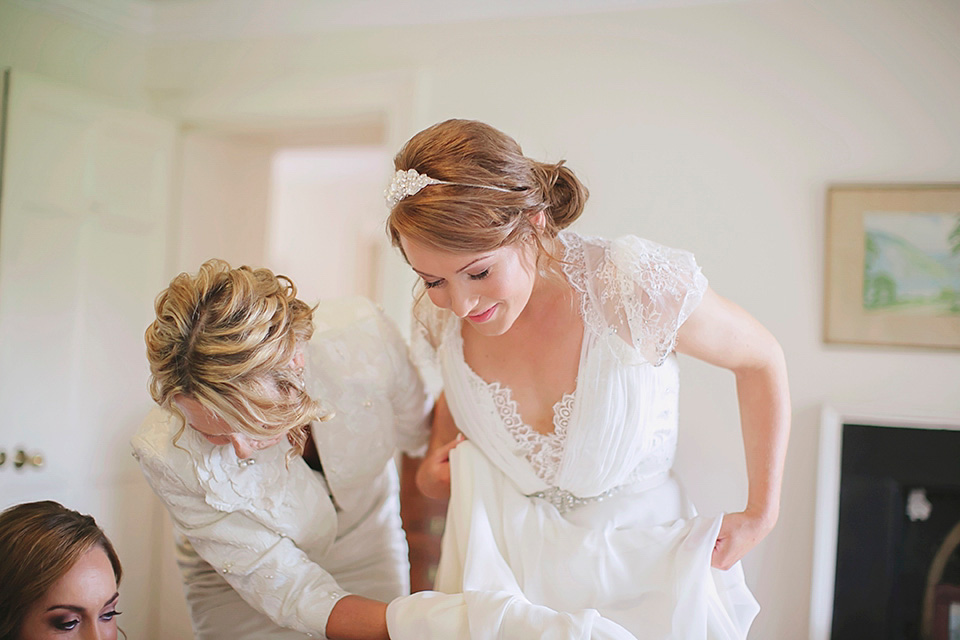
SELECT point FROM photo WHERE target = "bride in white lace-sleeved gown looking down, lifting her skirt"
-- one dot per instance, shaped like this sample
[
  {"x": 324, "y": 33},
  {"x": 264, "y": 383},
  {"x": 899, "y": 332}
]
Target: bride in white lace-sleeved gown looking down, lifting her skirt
[{"x": 557, "y": 358}]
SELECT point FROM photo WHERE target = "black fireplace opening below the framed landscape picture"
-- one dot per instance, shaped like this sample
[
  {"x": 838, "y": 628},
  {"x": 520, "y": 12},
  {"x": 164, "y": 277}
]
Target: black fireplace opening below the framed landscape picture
[{"x": 898, "y": 563}]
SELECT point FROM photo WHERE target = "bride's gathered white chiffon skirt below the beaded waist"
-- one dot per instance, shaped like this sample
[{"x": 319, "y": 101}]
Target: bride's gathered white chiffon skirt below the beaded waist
[{"x": 635, "y": 566}]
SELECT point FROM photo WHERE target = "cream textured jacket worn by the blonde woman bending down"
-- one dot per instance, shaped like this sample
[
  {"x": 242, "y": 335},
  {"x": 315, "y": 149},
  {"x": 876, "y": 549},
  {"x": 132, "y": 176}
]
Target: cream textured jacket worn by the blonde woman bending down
[{"x": 266, "y": 527}]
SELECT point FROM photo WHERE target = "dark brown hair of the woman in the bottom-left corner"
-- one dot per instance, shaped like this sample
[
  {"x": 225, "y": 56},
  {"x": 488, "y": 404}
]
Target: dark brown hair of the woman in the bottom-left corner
[{"x": 39, "y": 543}]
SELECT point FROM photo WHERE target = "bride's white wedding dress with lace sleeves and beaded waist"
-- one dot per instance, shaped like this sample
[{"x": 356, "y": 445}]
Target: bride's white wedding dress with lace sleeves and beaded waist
[{"x": 582, "y": 533}]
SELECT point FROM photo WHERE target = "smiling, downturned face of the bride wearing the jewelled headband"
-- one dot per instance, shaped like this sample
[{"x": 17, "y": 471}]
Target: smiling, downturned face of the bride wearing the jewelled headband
[{"x": 489, "y": 289}]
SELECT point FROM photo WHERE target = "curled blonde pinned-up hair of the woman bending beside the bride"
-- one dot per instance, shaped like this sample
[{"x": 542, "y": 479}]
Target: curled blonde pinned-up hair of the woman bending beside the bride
[{"x": 227, "y": 338}]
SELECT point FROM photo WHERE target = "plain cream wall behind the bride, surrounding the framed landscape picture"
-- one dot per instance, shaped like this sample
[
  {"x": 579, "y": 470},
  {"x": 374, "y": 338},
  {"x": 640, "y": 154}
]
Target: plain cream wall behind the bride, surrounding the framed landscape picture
[{"x": 715, "y": 128}]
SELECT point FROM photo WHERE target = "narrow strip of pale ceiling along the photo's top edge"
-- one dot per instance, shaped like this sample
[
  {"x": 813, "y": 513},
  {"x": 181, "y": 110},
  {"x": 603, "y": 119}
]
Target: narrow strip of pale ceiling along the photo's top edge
[{"x": 215, "y": 19}]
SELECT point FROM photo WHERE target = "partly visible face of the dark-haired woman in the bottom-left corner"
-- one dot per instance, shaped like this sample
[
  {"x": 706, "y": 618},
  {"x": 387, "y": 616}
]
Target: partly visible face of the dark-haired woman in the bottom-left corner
[{"x": 81, "y": 604}]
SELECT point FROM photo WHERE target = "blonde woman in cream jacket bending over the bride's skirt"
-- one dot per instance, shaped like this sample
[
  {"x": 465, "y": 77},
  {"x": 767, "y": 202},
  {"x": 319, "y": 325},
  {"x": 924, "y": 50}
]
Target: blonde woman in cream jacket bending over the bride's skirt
[{"x": 272, "y": 449}]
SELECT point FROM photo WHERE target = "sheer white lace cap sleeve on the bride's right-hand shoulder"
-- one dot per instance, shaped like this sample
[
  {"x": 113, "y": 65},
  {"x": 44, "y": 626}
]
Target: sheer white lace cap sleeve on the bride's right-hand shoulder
[{"x": 649, "y": 290}]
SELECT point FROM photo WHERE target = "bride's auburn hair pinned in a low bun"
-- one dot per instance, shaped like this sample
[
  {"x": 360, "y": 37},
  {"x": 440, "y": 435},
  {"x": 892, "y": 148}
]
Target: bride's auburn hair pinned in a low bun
[{"x": 493, "y": 192}]
